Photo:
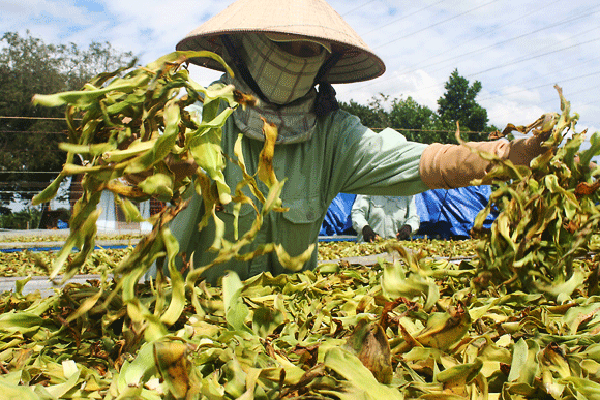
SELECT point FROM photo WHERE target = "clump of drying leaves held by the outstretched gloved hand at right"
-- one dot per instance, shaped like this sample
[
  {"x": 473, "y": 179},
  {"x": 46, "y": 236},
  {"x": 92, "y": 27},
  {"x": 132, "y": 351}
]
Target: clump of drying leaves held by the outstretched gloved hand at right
[{"x": 549, "y": 212}]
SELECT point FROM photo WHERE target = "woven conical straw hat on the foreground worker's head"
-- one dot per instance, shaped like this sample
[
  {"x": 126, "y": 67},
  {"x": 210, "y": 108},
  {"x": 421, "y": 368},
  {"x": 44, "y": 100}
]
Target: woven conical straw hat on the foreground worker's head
[{"x": 298, "y": 18}]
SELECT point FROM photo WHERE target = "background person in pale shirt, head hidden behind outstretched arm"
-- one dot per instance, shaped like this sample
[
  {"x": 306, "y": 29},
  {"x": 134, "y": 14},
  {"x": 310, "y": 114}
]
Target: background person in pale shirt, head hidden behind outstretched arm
[{"x": 385, "y": 217}]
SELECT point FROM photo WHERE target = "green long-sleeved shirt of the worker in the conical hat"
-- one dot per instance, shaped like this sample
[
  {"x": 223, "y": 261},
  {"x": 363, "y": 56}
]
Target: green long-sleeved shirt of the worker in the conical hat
[{"x": 341, "y": 156}]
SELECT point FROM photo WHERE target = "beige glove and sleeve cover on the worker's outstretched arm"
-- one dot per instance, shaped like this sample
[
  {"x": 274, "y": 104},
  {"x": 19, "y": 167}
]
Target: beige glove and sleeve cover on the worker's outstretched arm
[{"x": 446, "y": 166}]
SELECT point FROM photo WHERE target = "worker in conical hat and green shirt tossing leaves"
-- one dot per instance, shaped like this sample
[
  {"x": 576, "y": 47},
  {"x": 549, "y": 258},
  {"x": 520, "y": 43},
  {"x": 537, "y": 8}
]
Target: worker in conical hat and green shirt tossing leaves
[{"x": 288, "y": 53}]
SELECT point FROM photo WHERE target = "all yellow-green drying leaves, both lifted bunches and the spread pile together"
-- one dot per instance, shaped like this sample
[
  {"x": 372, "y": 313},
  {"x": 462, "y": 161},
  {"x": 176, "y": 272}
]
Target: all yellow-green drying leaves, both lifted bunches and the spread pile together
[{"x": 508, "y": 323}]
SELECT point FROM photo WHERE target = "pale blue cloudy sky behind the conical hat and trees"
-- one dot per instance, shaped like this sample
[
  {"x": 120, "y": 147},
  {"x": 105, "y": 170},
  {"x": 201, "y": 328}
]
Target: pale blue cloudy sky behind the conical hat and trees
[{"x": 517, "y": 49}]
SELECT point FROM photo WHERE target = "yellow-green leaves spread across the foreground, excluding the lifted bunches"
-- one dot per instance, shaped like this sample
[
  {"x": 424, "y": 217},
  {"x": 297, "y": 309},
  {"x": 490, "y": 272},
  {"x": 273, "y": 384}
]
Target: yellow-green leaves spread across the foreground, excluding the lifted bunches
[{"x": 418, "y": 329}]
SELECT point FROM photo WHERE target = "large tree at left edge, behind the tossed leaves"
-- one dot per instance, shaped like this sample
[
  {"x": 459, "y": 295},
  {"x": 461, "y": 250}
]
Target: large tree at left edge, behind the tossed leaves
[{"x": 29, "y": 135}]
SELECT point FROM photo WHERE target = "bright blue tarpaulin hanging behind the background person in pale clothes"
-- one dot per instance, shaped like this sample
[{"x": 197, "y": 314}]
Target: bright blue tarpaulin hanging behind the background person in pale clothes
[{"x": 445, "y": 214}]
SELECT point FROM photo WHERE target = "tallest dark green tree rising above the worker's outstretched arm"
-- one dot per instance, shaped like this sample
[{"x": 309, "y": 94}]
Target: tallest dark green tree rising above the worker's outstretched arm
[{"x": 458, "y": 104}]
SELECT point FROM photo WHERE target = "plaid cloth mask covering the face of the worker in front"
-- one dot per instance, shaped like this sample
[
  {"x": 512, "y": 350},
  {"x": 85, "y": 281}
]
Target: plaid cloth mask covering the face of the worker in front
[{"x": 281, "y": 76}]
